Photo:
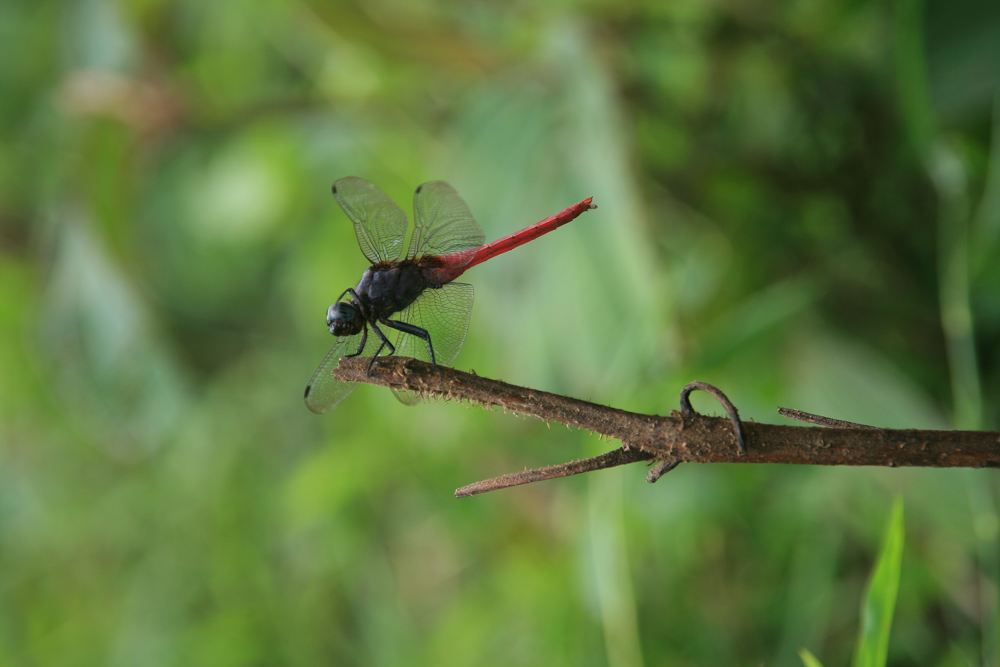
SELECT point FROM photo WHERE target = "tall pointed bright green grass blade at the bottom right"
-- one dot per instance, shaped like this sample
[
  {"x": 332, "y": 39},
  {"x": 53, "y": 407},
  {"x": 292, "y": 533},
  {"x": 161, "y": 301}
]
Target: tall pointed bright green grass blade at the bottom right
[{"x": 880, "y": 599}]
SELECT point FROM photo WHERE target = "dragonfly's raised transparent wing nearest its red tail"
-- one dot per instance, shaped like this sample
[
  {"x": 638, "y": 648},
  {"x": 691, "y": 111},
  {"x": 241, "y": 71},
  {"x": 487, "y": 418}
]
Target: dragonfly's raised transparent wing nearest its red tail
[{"x": 442, "y": 222}]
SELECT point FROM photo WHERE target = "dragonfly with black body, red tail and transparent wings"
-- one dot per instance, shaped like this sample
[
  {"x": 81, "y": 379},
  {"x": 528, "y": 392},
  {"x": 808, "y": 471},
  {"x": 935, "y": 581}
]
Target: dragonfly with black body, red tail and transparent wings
[{"x": 410, "y": 293}]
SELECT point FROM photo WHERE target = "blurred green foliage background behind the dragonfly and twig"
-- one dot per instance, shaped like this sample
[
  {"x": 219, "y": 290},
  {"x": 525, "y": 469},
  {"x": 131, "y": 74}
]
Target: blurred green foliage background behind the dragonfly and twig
[{"x": 799, "y": 201}]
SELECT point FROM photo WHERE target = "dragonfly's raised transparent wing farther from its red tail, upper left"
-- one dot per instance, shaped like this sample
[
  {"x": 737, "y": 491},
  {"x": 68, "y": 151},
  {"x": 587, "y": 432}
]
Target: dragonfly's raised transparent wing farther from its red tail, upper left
[{"x": 379, "y": 224}]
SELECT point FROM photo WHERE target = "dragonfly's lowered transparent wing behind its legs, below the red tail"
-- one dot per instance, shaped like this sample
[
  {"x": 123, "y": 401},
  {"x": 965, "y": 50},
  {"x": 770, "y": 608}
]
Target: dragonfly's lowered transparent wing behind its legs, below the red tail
[{"x": 444, "y": 313}]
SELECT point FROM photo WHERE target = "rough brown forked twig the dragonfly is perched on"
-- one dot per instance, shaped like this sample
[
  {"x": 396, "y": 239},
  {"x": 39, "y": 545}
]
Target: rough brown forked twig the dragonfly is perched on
[{"x": 690, "y": 438}]
